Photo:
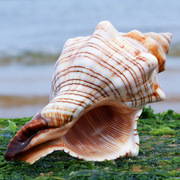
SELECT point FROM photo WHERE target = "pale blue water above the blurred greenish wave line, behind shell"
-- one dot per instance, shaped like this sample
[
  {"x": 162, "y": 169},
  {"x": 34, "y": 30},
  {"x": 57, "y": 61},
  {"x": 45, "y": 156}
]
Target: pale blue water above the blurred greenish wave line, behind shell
[{"x": 42, "y": 25}]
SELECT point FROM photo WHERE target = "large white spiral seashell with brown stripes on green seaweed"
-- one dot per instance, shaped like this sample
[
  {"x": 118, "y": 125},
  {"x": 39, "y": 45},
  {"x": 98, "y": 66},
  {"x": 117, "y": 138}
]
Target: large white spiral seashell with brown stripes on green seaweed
[{"x": 100, "y": 84}]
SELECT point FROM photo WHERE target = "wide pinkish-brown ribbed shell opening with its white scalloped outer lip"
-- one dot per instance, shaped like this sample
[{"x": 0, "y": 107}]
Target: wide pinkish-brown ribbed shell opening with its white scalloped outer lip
[{"x": 104, "y": 132}]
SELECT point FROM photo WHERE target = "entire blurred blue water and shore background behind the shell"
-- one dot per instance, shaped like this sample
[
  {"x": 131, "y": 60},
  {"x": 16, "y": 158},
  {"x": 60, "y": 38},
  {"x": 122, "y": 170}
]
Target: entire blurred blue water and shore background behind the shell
[{"x": 32, "y": 35}]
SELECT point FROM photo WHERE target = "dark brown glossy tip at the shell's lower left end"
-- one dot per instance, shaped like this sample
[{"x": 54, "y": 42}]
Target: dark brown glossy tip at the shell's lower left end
[{"x": 21, "y": 140}]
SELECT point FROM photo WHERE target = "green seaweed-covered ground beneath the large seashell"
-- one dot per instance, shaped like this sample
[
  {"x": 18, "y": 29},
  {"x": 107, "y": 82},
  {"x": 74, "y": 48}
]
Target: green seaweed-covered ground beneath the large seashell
[{"x": 158, "y": 156}]
